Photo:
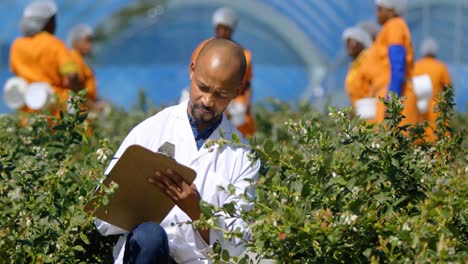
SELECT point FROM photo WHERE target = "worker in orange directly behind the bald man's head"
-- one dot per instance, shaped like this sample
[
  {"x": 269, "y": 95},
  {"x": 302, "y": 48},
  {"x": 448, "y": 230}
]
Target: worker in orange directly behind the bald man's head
[{"x": 225, "y": 21}]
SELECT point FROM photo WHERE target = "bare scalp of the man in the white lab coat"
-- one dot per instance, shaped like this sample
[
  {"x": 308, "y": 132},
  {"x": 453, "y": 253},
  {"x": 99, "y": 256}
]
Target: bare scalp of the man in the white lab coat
[{"x": 225, "y": 54}]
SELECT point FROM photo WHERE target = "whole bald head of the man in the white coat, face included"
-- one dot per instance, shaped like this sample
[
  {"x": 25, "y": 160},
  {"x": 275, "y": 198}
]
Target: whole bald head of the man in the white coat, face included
[{"x": 216, "y": 77}]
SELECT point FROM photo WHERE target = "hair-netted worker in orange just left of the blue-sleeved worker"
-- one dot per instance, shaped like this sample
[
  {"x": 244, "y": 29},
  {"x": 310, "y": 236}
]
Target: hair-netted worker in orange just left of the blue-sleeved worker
[{"x": 357, "y": 42}]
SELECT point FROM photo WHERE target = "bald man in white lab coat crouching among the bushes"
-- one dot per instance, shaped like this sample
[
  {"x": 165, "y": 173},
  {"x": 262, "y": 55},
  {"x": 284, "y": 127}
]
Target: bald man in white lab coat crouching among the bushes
[{"x": 216, "y": 77}]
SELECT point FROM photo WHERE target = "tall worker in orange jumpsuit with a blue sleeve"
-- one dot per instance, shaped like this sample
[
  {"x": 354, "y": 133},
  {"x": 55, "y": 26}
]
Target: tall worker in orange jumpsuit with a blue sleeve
[{"x": 392, "y": 55}]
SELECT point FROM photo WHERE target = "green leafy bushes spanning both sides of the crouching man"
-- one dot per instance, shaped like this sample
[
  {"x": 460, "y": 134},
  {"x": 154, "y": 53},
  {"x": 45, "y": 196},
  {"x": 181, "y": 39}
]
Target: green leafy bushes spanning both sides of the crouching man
[{"x": 332, "y": 189}]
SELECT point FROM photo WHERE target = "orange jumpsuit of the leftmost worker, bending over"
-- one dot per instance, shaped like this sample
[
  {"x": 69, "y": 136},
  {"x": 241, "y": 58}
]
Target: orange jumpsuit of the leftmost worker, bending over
[{"x": 43, "y": 58}]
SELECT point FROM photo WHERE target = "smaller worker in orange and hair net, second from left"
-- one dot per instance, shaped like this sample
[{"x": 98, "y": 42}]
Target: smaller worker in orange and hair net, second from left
[{"x": 80, "y": 40}]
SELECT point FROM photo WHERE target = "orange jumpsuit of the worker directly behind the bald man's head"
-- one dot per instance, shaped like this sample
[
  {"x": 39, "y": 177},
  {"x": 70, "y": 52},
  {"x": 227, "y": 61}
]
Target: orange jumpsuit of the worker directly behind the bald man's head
[{"x": 248, "y": 128}]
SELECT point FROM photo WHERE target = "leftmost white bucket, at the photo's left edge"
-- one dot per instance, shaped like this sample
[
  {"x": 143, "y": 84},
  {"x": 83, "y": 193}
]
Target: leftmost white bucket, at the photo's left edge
[{"x": 13, "y": 92}]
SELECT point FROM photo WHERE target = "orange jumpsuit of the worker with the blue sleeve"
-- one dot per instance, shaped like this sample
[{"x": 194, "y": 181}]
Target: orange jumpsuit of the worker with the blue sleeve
[{"x": 394, "y": 32}]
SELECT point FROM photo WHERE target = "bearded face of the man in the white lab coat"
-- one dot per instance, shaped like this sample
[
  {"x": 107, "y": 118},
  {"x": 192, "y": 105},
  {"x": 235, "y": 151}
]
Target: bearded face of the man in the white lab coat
[{"x": 212, "y": 89}]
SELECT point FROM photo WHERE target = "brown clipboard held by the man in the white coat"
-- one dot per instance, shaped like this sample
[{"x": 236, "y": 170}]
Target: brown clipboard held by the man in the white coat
[{"x": 136, "y": 201}]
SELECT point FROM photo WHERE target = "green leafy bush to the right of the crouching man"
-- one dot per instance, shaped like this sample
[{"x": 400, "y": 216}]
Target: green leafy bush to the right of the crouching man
[{"x": 350, "y": 192}]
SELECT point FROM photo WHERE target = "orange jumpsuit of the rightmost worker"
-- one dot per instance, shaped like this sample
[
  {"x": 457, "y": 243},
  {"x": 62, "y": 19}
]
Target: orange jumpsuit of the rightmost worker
[{"x": 440, "y": 77}]
